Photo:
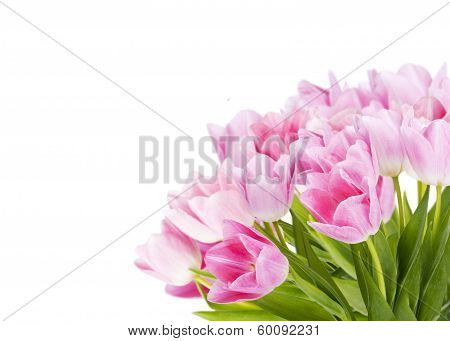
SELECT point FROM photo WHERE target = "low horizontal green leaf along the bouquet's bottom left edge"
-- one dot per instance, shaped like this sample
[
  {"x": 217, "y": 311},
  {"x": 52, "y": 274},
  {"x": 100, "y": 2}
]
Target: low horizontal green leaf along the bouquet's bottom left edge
[{"x": 240, "y": 315}]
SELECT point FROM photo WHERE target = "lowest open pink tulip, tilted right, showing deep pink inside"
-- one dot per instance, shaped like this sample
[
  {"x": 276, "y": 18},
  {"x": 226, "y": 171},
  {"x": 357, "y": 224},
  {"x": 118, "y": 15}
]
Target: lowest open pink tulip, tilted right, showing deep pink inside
[{"x": 247, "y": 265}]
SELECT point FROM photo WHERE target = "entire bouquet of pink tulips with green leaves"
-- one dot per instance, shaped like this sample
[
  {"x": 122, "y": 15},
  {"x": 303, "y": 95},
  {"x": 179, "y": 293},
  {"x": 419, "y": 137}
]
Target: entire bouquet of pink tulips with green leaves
[{"x": 306, "y": 219}]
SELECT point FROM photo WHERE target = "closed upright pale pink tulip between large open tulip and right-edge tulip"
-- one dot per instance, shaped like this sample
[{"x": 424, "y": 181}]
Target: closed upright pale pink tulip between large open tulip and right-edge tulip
[{"x": 385, "y": 141}]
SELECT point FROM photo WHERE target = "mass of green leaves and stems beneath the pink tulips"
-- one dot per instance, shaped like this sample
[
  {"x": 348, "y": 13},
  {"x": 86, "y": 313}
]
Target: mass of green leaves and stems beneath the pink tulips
[{"x": 330, "y": 280}]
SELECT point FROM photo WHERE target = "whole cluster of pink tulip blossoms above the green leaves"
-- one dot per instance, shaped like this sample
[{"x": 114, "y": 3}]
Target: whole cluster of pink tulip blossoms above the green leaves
[{"x": 337, "y": 152}]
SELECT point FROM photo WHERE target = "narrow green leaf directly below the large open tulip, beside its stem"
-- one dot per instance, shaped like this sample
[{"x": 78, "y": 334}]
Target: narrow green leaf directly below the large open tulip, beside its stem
[{"x": 377, "y": 307}]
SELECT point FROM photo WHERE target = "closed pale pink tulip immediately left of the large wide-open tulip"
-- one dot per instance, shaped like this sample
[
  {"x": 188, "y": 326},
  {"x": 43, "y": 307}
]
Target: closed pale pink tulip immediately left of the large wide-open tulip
[{"x": 268, "y": 186}]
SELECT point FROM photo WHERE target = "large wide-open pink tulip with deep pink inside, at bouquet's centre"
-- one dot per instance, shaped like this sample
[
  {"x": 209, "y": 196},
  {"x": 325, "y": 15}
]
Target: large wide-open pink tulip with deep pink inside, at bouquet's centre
[{"x": 349, "y": 201}]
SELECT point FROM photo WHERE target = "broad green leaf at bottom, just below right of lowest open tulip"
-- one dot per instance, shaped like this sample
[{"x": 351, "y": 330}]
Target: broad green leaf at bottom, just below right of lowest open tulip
[{"x": 288, "y": 302}]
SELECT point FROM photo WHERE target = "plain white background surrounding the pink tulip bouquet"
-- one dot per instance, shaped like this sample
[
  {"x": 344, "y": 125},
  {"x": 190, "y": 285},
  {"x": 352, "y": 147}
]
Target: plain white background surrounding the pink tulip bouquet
[{"x": 69, "y": 138}]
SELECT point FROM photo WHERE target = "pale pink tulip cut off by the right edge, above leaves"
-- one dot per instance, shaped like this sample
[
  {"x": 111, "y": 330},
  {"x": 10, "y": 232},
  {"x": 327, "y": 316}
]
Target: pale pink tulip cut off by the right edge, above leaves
[{"x": 428, "y": 150}]
